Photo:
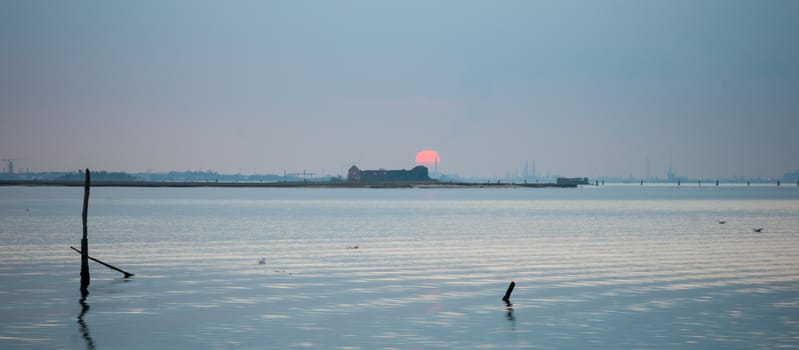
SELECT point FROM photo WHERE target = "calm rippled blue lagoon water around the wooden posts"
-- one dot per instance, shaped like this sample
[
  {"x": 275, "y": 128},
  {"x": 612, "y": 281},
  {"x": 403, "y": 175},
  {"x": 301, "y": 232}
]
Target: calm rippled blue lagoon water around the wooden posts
[{"x": 615, "y": 266}]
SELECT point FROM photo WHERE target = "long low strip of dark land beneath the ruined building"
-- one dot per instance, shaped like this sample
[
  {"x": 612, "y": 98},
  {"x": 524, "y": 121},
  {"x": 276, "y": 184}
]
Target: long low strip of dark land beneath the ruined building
[{"x": 292, "y": 184}]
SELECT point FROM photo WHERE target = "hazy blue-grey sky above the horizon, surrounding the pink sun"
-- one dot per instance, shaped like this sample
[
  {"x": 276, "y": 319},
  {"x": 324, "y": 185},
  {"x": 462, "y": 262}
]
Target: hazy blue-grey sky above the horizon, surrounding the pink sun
[{"x": 584, "y": 88}]
